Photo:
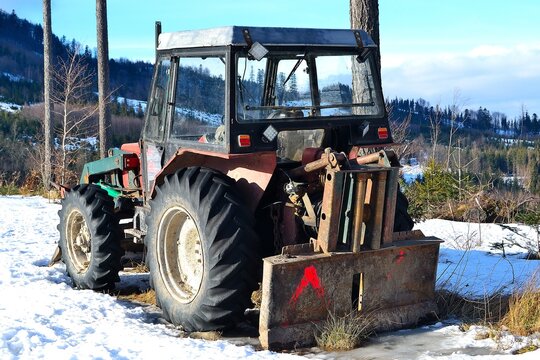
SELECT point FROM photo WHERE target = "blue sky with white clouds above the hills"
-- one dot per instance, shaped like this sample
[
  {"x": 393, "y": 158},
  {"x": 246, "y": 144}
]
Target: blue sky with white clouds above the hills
[{"x": 459, "y": 52}]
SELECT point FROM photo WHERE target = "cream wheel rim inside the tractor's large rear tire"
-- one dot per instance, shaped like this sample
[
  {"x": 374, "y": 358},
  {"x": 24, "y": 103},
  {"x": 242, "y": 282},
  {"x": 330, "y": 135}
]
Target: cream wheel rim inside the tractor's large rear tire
[{"x": 180, "y": 254}]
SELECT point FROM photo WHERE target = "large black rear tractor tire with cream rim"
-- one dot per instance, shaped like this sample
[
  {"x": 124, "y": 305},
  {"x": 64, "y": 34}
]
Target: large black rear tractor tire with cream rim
[{"x": 202, "y": 250}]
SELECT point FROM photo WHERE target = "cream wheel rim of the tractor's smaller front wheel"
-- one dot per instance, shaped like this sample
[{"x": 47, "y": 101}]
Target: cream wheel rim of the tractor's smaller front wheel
[{"x": 79, "y": 241}]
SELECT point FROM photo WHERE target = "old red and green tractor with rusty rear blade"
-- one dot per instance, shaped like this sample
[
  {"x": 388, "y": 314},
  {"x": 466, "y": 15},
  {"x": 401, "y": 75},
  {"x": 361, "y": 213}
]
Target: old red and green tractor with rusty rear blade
[{"x": 261, "y": 165}]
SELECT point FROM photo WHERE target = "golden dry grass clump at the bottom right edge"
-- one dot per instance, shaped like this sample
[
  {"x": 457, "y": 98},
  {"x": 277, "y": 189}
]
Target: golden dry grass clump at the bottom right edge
[{"x": 523, "y": 316}]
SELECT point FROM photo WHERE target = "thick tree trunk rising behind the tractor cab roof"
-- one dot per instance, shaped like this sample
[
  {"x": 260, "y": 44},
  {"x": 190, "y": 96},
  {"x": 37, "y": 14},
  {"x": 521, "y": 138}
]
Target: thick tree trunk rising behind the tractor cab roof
[{"x": 365, "y": 15}]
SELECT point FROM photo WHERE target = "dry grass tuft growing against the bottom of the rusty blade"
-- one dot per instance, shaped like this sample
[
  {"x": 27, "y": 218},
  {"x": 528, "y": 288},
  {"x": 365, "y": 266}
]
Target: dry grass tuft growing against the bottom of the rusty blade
[{"x": 341, "y": 333}]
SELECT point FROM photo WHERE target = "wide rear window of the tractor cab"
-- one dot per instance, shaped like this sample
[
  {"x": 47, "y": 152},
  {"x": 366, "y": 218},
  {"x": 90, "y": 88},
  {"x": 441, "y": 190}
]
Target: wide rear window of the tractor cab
[{"x": 299, "y": 85}]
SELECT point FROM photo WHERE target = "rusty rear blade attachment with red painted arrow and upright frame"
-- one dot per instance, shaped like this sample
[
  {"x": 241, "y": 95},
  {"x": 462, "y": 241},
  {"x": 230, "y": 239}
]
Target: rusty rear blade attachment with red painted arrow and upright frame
[{"x": 356, "y": 263}]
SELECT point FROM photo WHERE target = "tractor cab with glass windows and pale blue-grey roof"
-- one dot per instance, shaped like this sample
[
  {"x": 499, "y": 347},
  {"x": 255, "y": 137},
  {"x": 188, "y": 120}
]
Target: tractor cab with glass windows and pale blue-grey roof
[{"x": 237, "y": 90}]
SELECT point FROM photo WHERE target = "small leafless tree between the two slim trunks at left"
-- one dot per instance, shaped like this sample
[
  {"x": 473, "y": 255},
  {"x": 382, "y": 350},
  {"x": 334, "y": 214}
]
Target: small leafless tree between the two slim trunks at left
[{"x": 73, "y": 84}]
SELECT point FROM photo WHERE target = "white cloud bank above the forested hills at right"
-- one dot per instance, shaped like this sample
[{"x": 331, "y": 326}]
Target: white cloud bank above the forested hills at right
[{"x": 501, "y": 78}]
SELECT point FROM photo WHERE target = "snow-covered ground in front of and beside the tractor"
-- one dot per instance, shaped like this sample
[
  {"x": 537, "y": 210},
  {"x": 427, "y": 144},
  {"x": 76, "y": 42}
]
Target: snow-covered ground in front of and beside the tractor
[{"x": 41, "y": 316}]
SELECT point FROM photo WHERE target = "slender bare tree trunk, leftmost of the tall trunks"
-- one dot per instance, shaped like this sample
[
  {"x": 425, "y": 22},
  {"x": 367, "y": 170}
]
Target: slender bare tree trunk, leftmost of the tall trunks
[{"x": 47, "y": 68}]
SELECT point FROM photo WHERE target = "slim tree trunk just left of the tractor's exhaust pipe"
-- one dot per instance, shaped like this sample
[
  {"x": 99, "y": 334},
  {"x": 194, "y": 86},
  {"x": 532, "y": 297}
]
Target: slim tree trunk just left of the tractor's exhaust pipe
[{"x": 103, "y": 78}]
